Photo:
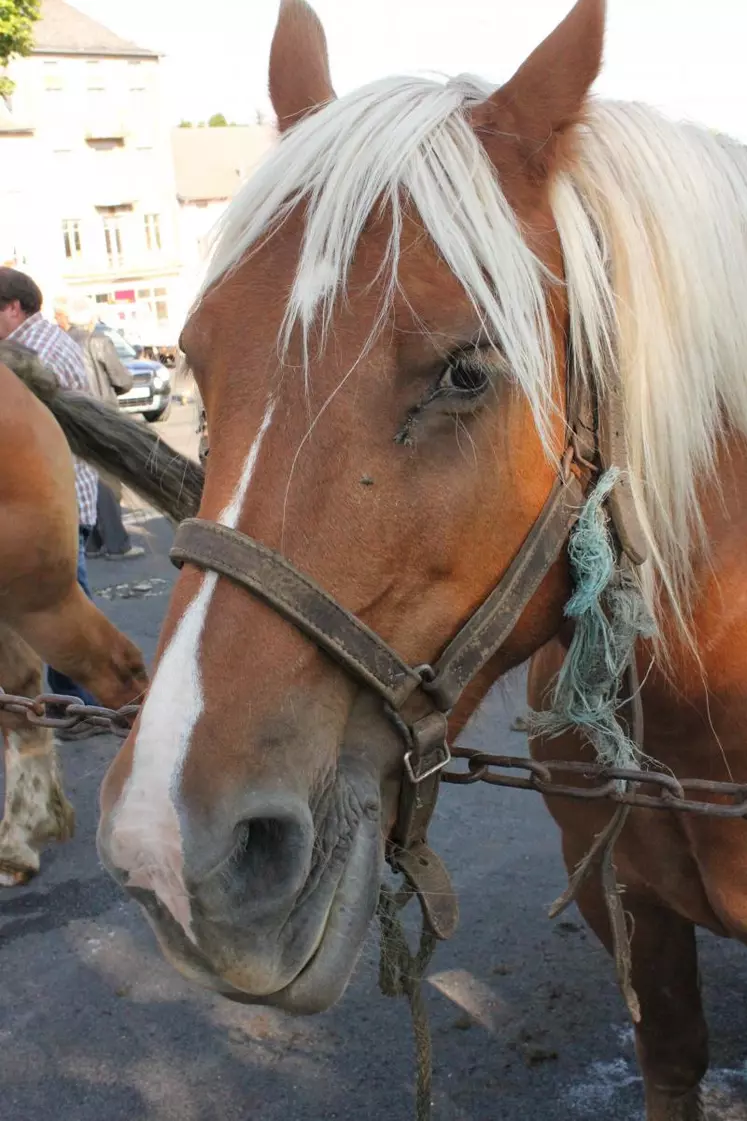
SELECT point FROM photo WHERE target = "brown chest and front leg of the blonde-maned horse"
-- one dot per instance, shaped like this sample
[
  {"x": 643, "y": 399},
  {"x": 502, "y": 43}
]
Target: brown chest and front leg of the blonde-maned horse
[{"x": 678, "y": 872}]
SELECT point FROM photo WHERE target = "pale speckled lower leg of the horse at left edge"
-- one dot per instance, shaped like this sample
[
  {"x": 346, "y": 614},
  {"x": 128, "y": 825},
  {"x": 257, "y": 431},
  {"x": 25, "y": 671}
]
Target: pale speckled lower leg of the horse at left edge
[{"x": 36, "y": 811}]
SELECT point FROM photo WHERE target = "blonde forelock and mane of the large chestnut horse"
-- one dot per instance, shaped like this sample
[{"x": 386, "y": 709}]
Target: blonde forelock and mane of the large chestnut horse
[{"x": 653, "y": 223}]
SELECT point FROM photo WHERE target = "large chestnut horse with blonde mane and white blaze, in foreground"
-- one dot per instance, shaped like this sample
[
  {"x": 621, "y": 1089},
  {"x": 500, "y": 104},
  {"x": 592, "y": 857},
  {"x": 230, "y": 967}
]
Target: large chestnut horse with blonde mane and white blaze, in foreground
[{"x": 393, "y": 427}]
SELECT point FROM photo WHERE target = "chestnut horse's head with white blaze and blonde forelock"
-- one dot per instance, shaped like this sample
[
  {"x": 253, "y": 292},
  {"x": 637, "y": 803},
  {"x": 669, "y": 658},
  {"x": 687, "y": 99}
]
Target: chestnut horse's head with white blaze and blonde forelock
[{"x": 382, "y": 350}]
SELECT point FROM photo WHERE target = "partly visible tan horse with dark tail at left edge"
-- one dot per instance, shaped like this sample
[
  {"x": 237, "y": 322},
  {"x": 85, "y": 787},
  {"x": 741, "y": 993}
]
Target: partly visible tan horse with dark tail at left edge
[{"x": 44, "y": 614}]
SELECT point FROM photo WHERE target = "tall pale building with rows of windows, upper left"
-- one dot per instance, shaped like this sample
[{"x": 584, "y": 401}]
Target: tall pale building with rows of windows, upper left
[{"x": 88, "y": 197}]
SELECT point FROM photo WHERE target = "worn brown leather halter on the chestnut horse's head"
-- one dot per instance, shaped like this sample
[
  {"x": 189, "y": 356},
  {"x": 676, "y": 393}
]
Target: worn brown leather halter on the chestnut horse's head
[{"x": 420, "y": 699}]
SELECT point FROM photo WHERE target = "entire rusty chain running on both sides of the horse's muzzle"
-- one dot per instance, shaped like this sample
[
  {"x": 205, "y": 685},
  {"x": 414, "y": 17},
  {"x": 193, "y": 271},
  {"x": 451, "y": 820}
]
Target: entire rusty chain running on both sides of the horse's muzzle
[{"x": 595, "y": 782}]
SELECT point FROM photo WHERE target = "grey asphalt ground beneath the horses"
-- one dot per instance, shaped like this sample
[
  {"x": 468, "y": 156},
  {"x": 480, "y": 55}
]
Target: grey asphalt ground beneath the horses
[{"x": 527, "y": 1018}]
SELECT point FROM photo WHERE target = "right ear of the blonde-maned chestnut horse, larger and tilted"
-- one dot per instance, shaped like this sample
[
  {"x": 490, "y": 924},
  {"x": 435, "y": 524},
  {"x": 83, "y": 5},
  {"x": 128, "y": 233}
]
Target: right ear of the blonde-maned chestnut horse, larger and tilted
[{"x": 548, "y": 95}]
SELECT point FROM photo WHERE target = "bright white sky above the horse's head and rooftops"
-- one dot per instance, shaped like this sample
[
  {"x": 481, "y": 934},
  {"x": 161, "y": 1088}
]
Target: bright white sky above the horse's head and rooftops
[{"x": 685, "y": 57}]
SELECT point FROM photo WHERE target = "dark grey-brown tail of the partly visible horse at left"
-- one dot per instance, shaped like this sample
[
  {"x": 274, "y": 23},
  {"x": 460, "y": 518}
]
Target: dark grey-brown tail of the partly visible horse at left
[{"x": 112, "y": 442}]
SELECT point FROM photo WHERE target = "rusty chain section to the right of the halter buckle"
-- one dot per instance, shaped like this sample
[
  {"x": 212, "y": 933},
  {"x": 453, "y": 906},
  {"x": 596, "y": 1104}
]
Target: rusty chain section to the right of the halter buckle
[{"x": 601, "y": 783}]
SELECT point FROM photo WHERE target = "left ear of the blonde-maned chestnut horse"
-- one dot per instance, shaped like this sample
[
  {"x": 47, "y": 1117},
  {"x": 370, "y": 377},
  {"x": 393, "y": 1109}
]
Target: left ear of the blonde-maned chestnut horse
[{"x": 300, "y": 70}]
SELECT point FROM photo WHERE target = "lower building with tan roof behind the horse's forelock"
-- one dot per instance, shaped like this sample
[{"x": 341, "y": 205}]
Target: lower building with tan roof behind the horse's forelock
[{"x": 210, "y": 165}]
